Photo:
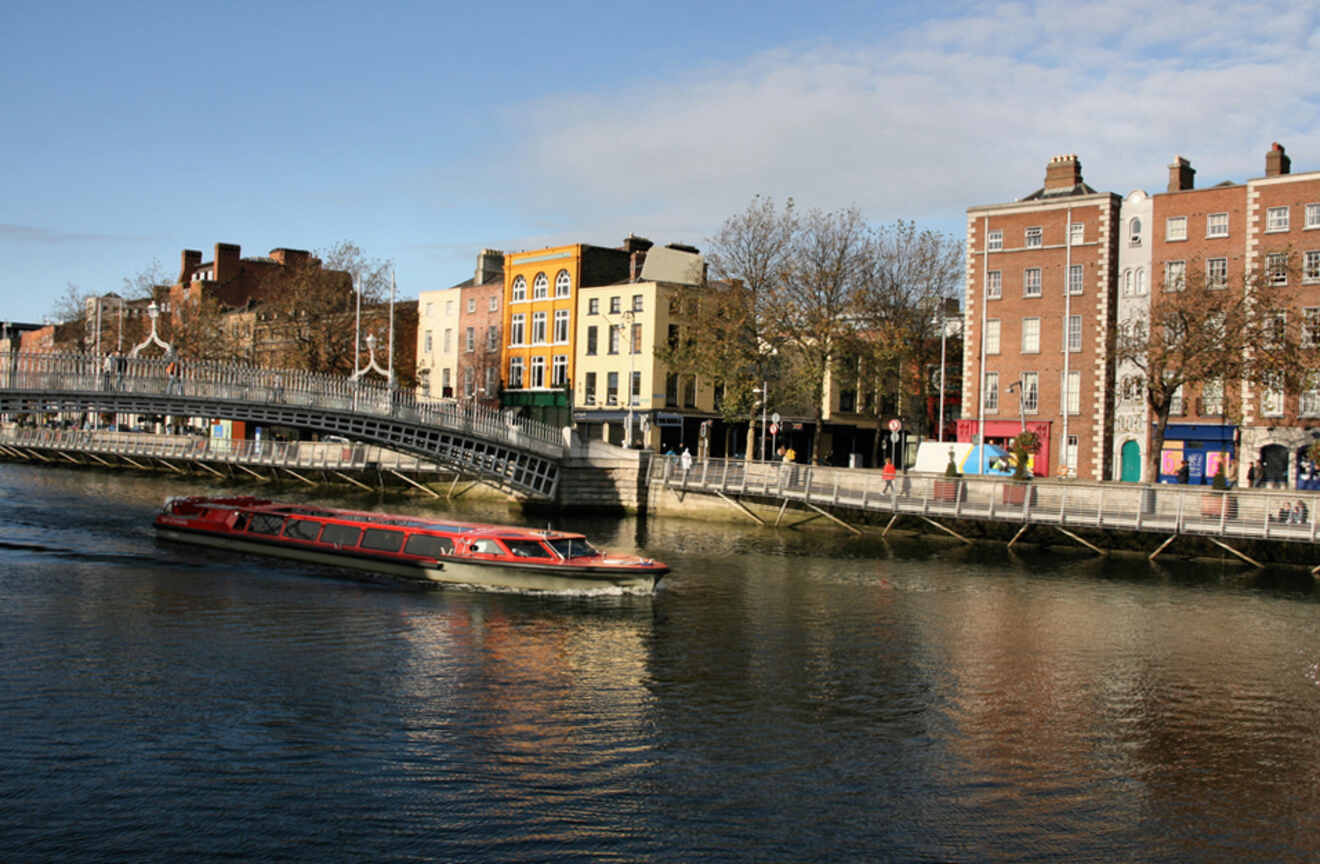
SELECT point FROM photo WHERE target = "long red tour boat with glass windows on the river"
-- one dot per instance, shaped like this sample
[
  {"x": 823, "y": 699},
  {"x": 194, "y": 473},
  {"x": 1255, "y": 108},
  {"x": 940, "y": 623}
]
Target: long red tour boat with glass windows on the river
[{"x": 409, "y": 548}]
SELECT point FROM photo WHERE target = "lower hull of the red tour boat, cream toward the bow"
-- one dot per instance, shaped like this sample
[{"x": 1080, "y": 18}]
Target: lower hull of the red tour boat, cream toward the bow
[{"x": 449, "y": 572}]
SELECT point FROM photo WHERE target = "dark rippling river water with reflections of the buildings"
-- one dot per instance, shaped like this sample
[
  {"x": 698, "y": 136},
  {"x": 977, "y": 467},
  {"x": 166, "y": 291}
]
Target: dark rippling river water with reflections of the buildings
[{"x": 787, "y": 696}]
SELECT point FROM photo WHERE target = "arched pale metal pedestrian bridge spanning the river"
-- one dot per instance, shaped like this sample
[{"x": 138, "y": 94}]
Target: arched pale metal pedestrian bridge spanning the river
[{"x": 518, "y": 456}]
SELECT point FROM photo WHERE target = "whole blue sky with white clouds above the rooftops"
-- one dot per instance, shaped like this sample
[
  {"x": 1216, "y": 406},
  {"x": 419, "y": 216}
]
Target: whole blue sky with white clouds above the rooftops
[{"x": 424, "y": 133}]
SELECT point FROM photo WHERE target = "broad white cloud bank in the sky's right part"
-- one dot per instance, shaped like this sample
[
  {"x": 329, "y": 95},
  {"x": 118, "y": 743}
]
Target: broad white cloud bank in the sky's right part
[{"x": 955, "y": 113}]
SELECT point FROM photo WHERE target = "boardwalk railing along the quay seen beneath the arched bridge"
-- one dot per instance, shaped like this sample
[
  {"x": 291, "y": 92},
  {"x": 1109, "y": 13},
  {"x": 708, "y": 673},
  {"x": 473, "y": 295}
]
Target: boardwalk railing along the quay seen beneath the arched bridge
[{"x": 298, "y": 458}]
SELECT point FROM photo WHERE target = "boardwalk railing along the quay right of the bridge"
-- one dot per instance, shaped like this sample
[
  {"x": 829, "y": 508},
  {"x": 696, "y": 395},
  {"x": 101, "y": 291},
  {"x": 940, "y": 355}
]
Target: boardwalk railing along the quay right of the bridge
[{"x": 1257, "y": 515}]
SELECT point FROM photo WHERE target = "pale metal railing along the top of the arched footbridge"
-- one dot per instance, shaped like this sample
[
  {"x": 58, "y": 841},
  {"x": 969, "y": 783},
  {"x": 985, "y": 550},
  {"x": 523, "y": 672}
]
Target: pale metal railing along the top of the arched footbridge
[{"x": 42, "y": 373}]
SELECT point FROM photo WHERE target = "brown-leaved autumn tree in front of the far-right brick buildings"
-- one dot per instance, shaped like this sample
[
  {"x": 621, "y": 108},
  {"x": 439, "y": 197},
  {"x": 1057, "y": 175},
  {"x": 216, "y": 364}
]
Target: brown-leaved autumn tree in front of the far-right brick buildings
[{"x": 1212, "y": 330}]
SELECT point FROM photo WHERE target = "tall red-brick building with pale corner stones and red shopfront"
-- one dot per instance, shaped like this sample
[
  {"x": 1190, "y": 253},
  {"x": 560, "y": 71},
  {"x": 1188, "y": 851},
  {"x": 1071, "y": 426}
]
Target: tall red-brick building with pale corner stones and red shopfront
[{"x": 1038, "y": 324}]
